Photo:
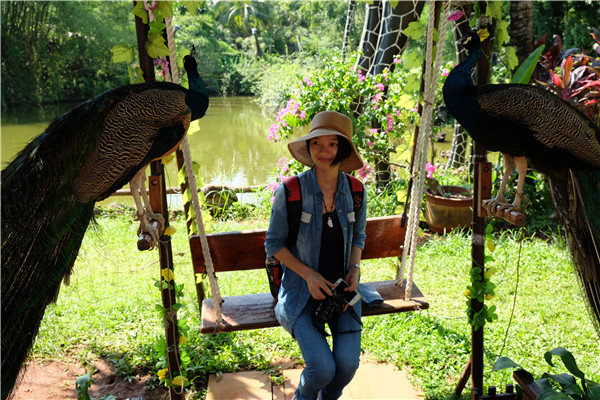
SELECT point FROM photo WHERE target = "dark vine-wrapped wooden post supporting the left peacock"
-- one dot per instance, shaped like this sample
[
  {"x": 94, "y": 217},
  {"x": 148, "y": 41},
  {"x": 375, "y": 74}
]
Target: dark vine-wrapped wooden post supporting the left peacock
[{"x": 158, "y": 201}]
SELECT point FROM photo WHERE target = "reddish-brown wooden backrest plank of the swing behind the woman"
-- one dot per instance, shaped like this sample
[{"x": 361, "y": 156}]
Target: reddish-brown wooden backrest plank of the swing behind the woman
[{"x": 244, "y": 250}]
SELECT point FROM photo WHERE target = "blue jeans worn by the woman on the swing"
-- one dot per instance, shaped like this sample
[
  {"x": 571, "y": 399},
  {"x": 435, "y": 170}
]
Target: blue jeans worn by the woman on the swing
[{"x": 327, "y": 371}]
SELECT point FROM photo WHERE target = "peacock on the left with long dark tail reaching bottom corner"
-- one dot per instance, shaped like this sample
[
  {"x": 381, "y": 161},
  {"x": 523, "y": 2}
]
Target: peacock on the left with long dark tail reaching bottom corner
[{"x": 50, "y": 188}]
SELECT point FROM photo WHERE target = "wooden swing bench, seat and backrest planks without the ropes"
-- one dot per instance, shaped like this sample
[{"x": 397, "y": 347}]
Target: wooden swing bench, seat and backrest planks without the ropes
[{"x": 244, "y": 250}]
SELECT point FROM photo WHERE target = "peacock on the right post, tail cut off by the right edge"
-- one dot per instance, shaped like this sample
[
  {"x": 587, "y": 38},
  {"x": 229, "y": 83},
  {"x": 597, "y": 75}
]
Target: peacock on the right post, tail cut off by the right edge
[{"x": 528, "y": 124}]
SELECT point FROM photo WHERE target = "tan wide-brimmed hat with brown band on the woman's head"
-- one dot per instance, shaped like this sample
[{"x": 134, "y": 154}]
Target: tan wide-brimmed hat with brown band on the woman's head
[{"x": 327, "y": 123}]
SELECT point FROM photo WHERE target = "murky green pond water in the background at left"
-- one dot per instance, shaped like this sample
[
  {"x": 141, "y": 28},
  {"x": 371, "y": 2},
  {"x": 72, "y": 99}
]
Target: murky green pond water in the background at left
[{"x": 231, "y": 145}]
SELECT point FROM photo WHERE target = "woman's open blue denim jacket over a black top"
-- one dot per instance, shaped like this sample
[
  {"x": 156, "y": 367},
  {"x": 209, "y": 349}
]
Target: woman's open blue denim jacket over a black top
[{"x": 293, "y": 293}]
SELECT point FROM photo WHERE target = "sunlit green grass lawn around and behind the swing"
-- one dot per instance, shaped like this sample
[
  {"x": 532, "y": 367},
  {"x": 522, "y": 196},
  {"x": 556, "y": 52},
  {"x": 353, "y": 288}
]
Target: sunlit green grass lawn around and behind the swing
[{"x": 109, "y": 310}]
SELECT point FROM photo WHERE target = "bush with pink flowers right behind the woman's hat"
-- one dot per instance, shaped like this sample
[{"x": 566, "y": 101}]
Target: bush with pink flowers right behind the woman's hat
[{"x": 389, "y": 104}]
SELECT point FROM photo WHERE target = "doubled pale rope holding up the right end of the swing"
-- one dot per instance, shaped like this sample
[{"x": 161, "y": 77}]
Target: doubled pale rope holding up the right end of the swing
[{"x": 410, "y": 241}]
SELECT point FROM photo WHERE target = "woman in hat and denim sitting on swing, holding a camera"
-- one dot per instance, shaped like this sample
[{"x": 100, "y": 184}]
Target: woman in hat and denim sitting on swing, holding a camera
[{"x": 329, "y": 246}]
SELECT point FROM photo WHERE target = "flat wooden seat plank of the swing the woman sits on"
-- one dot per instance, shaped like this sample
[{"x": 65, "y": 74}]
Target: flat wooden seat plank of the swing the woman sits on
[{"x": 255, "y": 311}]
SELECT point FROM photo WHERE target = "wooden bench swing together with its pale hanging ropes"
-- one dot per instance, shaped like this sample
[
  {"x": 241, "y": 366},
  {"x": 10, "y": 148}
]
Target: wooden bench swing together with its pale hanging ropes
[{"x": 386, "y": 237}]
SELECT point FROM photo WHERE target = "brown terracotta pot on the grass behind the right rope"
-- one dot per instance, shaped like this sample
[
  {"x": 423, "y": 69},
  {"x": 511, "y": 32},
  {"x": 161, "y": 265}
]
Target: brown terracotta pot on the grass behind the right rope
[{"x": 443, "y": 214}]
